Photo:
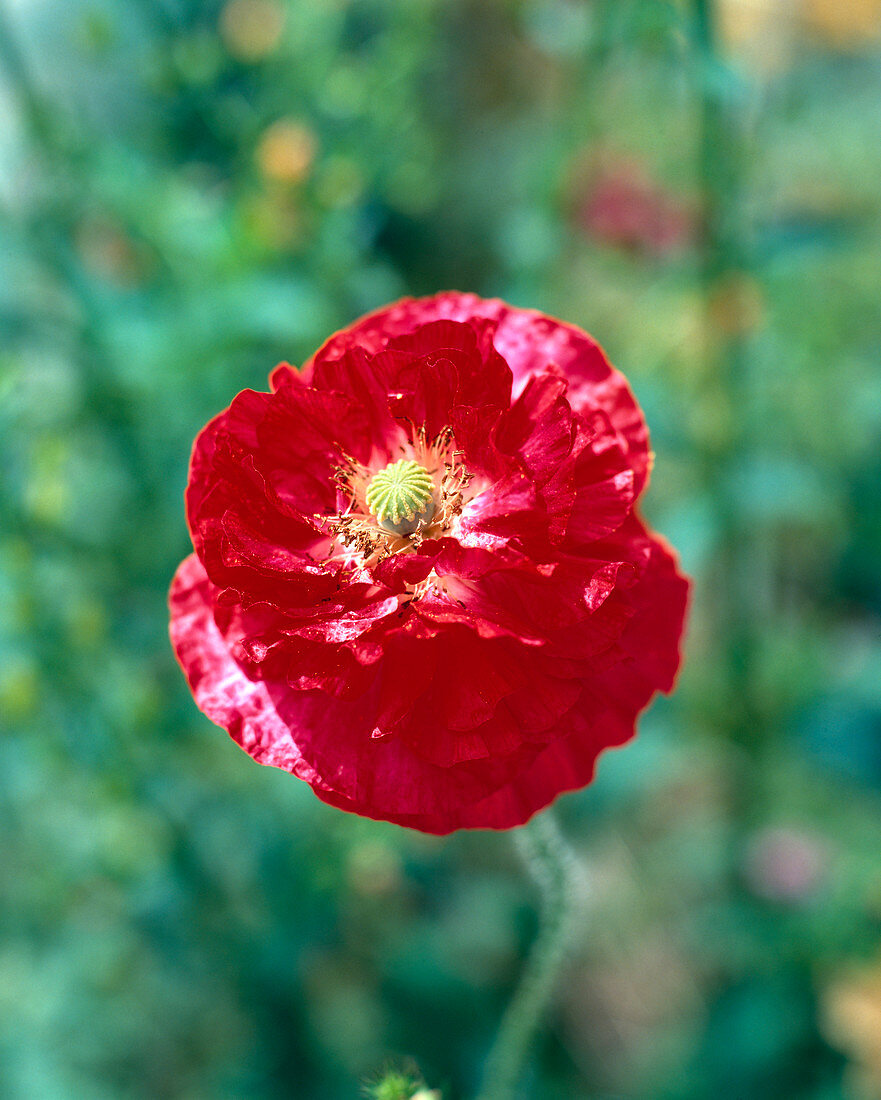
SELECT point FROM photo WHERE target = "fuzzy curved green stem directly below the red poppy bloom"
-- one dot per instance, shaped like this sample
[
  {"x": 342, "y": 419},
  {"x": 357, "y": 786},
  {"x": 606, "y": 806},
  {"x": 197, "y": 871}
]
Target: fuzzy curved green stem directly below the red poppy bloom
[{"x": 559, "y": 876}]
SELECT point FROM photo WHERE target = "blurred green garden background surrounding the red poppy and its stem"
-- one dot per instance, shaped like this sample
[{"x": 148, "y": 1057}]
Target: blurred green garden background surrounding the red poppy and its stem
[{"x": 193, "y": 191}]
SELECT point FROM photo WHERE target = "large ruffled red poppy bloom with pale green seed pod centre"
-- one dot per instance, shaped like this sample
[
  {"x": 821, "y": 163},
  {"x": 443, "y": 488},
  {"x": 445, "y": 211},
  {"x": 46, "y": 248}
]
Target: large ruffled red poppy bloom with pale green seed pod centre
[{"x": 420, "y": 580}]
